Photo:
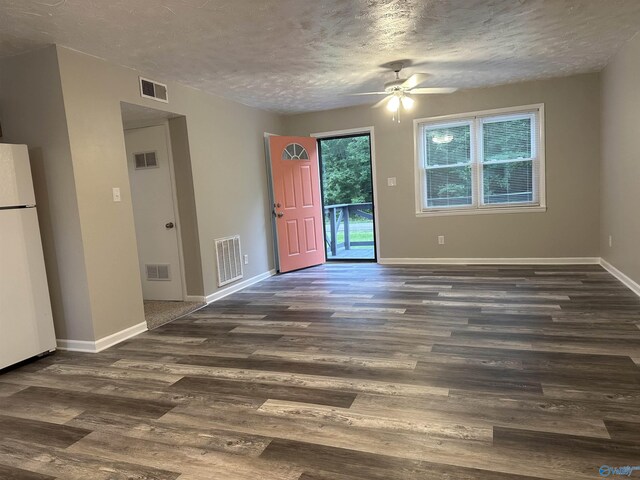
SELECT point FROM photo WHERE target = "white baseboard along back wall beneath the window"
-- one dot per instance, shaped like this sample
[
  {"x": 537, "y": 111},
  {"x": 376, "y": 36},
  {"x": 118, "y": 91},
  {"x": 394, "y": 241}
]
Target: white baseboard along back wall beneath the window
[{"x": 492, "y": 261}]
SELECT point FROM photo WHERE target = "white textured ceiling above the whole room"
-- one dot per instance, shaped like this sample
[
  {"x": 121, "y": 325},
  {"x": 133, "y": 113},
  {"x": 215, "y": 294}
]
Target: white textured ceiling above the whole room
[{"x": 305, "y": 55}]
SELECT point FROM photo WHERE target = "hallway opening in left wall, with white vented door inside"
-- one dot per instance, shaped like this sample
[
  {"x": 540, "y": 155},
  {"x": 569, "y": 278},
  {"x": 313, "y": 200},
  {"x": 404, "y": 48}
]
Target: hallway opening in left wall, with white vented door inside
[{"x": 155, "y": 149}]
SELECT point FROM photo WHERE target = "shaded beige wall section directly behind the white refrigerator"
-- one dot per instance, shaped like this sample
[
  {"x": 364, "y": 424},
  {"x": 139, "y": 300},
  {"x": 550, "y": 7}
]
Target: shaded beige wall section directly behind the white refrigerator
[{"x": 32, "y": 112}]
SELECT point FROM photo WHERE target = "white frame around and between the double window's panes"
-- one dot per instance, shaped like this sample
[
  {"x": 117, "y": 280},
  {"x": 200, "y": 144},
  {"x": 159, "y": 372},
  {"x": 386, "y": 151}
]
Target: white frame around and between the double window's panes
[{"x": 476, "y": 120}]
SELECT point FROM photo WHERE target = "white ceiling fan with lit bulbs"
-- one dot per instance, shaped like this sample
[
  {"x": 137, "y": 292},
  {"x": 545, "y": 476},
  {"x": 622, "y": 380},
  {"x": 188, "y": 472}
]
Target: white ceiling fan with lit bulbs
[{"x": 399, "y": 91}]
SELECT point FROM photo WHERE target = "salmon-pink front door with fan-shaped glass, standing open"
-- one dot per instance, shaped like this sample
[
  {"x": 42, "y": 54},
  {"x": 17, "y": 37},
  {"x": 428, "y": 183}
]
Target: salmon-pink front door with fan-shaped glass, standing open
[{"x": 297, "y": 203}]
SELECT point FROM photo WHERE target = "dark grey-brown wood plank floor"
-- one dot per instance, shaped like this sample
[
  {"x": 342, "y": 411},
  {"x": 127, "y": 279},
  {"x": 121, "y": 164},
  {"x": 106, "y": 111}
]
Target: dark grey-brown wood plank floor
[{"x": 350, "y": 372}]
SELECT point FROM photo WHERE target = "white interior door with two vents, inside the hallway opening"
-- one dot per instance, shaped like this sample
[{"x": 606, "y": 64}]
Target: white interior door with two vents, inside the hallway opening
[{"x": 153, "y": 209}]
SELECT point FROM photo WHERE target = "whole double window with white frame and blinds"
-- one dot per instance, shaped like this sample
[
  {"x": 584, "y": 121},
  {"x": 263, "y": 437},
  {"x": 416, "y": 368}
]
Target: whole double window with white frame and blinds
[{"x": 483, "y": 162}]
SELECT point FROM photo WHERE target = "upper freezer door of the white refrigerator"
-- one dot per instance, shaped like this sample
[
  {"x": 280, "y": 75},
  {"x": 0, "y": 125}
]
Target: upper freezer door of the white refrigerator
[{"x": 16, "y": 185}]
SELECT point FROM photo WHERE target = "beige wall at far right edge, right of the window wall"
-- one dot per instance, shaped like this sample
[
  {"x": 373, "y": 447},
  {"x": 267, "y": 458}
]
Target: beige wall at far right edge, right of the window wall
[{"x": 620, "y": 168}]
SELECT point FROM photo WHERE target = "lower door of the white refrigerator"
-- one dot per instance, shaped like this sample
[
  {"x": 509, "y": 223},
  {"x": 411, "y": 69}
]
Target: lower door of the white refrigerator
[{"x": 26, "y": 324}]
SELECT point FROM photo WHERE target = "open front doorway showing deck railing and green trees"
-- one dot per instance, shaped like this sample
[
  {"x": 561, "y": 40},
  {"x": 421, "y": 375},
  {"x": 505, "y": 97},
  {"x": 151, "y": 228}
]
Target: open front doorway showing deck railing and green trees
[{"x": 347, "y": 197}]
